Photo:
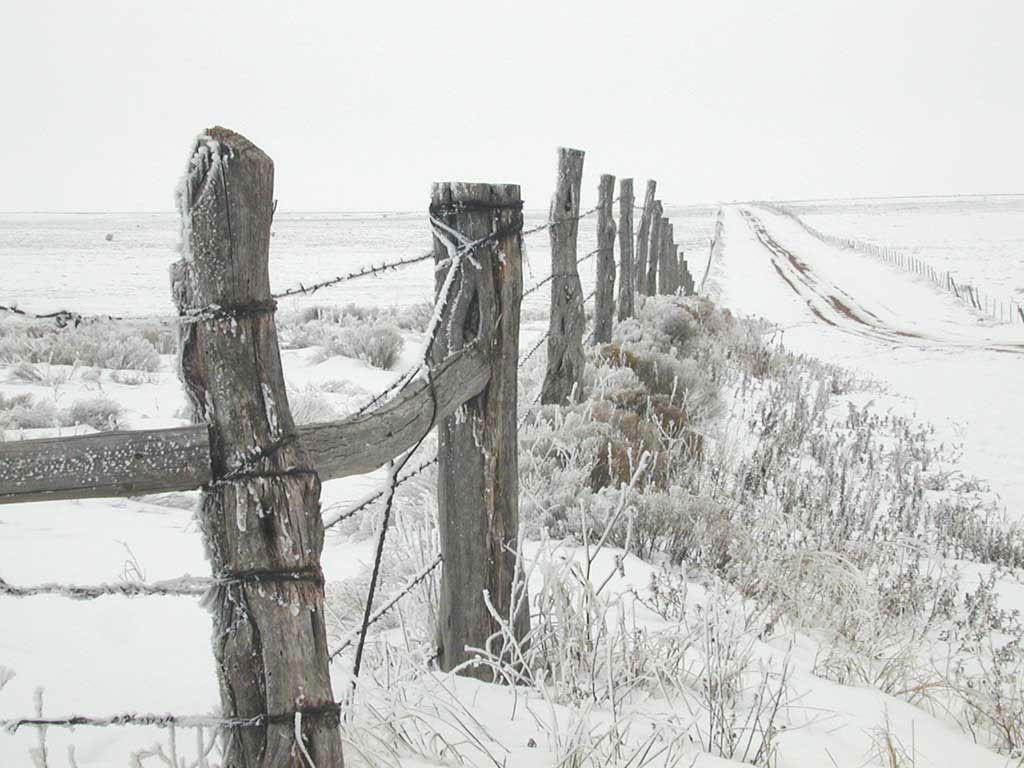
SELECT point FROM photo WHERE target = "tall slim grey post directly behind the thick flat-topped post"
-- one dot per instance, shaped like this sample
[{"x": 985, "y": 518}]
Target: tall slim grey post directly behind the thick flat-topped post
[{"x": 564, "y": 378}]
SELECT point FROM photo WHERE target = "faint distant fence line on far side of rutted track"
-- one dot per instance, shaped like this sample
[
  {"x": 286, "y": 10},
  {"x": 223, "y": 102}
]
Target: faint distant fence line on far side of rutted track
[{"x": 1003, "y": 311}]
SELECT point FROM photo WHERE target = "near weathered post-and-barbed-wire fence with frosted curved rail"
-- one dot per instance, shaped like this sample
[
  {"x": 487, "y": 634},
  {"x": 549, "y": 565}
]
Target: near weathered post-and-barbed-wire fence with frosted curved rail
[{"x": 247, "y": 456}]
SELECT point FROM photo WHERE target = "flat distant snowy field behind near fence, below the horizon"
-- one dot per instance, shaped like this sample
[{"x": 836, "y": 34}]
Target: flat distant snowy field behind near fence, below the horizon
[{"x": 55, "y": 262}]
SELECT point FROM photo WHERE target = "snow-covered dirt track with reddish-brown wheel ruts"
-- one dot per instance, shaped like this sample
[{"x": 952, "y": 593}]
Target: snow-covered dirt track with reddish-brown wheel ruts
[{"x": 942, "y": 361}]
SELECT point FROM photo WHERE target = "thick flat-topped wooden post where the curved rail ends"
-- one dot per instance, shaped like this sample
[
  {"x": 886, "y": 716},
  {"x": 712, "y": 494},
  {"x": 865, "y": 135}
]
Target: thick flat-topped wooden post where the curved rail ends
[{"x": 478, "y": 448}]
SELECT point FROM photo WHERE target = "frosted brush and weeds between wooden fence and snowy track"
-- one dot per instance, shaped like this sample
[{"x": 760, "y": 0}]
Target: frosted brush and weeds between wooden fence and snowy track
[{"x": 827, "y": 517}]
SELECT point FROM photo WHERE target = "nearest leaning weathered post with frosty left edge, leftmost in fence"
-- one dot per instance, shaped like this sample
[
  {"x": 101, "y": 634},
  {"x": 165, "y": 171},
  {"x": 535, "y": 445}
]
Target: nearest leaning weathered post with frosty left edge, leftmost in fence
[{"x": 261, "y": 516}]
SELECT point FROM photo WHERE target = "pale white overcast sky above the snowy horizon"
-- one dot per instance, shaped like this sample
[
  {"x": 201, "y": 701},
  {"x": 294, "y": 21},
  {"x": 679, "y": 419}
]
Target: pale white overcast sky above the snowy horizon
[{"x": 363, "y": 105}]
